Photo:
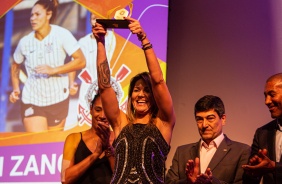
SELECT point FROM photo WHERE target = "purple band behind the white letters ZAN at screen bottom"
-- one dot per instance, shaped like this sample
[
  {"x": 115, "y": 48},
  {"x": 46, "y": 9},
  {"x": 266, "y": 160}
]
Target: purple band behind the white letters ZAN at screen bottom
[{"x": 27, "y": 150}]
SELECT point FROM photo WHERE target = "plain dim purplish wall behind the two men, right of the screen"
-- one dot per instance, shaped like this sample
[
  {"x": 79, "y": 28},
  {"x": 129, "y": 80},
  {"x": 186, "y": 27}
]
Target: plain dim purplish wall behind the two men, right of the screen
[{"x": 224, "y": 48}]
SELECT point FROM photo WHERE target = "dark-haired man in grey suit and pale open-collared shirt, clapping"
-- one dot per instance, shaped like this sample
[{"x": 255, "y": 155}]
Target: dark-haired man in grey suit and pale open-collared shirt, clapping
[{"x": 213, "y": 159}]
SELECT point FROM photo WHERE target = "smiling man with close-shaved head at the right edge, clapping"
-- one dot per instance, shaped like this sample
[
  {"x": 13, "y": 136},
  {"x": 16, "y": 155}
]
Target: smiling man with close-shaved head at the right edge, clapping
[{"x": 266, "y": 160}]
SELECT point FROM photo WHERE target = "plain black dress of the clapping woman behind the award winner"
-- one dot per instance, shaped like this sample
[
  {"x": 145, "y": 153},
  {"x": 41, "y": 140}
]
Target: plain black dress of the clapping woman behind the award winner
[{"x": 99, "y": 172}]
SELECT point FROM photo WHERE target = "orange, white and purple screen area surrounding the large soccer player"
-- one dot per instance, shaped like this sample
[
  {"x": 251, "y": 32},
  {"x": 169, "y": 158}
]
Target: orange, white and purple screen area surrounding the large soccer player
[{"x": 37, "y": 156}]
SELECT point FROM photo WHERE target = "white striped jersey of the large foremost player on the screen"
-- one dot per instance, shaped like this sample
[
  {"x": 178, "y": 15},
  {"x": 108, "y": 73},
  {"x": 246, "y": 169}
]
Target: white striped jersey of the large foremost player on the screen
[{"x": 43, "y": 89}]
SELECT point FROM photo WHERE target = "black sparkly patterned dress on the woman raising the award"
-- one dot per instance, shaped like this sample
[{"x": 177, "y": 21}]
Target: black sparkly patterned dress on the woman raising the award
[{"x": 140, "y": 152}]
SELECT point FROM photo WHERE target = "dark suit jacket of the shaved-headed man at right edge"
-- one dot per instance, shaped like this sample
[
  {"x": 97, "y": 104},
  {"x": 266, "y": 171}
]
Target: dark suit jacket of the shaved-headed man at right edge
[{"x": 265, "y": 138}]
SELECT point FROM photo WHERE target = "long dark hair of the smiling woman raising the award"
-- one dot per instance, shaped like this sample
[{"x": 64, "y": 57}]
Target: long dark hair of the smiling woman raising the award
[{"x": 145, "y": 76}]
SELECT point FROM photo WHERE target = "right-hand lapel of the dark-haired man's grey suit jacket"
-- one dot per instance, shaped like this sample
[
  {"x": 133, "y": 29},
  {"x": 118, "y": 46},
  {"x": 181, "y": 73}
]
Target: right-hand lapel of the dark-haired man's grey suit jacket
[{"x": 220, "y": 153}]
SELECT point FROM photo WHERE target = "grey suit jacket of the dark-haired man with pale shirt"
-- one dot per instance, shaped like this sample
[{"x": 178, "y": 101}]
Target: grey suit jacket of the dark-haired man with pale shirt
[{"x": 225, "y": 164}]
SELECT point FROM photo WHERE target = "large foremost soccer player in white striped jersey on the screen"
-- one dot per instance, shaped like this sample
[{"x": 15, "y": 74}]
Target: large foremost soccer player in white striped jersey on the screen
[{"x": 45, "y": 95}]
